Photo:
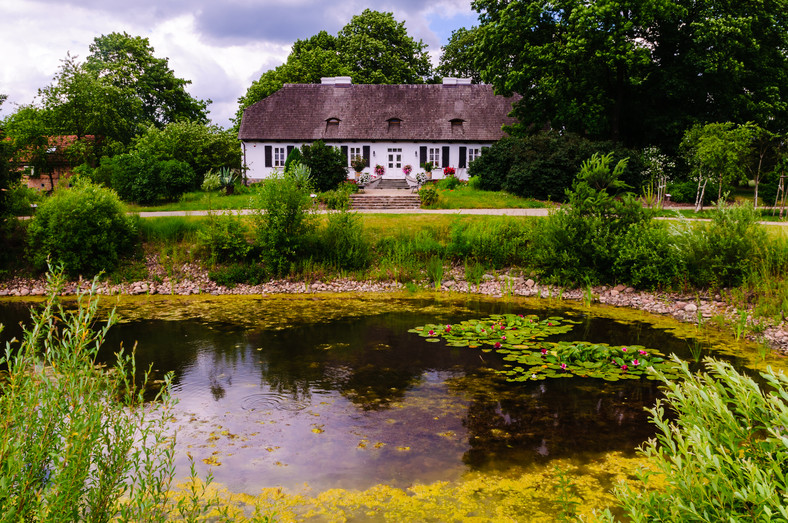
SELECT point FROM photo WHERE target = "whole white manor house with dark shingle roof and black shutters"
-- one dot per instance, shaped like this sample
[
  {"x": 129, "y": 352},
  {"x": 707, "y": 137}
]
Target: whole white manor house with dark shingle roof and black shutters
[{"x": 388, "y": 125}]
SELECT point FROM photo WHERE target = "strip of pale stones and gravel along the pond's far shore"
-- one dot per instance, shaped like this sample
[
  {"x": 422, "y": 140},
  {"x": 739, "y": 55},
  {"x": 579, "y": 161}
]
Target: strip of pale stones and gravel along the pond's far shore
[{"x": 193, "y": 279}]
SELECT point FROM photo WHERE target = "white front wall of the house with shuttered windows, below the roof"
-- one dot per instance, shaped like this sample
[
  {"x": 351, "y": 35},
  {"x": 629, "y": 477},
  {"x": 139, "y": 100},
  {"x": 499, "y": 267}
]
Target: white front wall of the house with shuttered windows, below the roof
[{"x": 393, "y": 156}]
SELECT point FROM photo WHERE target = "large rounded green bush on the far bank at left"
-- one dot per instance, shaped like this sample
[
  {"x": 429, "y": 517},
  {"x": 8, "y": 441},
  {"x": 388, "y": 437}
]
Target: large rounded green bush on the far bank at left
[{"x": 84, "y": 228}]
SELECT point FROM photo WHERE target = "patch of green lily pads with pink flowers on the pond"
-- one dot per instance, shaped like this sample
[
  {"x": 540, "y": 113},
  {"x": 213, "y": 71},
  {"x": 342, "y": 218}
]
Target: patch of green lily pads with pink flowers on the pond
[{"x": 519, "y": 339}]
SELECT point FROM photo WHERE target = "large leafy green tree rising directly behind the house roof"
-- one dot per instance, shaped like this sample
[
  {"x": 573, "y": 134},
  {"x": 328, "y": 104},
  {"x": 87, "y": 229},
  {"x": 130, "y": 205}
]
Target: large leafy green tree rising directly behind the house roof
[{"x": 372, "y": 48}]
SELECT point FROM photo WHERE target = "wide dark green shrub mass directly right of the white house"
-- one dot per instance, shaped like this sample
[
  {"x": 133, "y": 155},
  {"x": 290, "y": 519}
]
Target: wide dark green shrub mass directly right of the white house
[{"x": 543, "y": 165}]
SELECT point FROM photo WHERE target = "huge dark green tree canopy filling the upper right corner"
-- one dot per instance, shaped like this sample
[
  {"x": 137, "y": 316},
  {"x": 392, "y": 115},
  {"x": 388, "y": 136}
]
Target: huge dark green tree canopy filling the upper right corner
[{"x": 641, "y": 74}]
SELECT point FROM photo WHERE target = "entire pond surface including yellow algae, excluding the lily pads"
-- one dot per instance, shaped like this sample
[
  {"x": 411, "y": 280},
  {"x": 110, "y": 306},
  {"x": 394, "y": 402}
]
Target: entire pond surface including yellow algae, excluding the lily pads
[{"x": 321, "y": 392}]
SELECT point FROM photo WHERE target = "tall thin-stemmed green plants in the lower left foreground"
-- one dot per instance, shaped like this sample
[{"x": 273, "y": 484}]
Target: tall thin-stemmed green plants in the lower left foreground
[{"x": 79, "y": 442}]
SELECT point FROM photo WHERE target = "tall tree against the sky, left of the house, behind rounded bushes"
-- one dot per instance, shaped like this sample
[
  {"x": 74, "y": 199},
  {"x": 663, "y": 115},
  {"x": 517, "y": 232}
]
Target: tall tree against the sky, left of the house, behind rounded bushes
[{"x": 148, "y": 92}]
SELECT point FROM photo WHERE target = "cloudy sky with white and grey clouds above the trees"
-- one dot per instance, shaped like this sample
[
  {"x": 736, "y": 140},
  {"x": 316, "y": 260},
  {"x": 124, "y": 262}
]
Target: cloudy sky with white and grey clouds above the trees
[{"x": 221, "y": 46}]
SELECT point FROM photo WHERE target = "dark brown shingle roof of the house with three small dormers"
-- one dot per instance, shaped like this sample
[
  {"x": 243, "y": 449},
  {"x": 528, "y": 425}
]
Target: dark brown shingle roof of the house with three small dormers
[{"x": 299, "y": 112}]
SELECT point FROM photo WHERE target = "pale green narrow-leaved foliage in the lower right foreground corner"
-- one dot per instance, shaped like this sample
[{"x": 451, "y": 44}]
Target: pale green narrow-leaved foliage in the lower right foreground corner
[{"x": 719, "y": 450}]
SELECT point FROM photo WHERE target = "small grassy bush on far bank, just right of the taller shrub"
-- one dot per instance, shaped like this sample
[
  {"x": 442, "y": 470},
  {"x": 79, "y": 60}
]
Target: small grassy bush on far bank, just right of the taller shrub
[{"x": 344, "y": 243}]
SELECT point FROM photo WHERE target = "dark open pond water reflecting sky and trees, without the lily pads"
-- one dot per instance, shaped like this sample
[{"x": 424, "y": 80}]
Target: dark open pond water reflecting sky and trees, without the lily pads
[{"x": 353, "y": 400}]
